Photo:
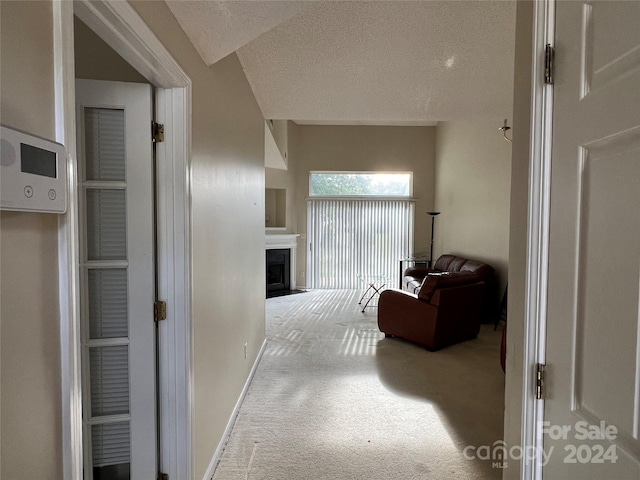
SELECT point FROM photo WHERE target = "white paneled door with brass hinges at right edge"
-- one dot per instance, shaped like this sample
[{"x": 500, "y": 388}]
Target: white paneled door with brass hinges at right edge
[{"x": 593, "y": 325}]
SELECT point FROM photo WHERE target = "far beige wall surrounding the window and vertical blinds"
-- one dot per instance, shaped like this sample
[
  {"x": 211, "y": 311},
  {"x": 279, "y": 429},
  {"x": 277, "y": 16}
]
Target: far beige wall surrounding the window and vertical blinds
[{"x": 364, "y": 148}]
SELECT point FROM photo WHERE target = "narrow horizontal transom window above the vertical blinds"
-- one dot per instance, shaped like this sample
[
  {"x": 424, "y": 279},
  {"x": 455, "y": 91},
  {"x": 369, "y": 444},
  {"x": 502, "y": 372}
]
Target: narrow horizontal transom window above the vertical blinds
[{"x": 368, "y": 184}]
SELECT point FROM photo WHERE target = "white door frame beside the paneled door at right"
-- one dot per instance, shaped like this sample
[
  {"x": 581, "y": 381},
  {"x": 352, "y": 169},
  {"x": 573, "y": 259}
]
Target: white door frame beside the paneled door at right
[{"x": 537, "y": 249}]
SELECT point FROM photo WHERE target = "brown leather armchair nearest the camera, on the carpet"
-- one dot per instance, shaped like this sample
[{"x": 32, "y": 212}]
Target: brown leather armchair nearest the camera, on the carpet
[{"x": 446, "y": 309}]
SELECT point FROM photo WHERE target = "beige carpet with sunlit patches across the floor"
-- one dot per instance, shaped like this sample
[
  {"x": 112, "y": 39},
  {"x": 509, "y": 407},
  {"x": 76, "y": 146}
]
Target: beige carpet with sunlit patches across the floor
[{"x": 333, "y": 399}]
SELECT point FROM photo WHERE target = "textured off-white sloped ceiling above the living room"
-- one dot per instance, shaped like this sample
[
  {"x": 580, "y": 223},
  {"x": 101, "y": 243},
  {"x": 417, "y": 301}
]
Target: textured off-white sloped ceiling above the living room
[{"x": 369, "y": 62}]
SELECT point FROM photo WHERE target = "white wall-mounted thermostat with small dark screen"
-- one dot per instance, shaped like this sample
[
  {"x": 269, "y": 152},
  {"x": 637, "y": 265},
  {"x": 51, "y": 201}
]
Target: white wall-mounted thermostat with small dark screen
[{"x": 33, "y": 173}]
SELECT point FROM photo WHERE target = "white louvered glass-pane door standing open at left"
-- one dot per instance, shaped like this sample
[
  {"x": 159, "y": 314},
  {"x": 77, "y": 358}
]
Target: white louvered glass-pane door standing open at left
[{"x": 117, "y": 278}]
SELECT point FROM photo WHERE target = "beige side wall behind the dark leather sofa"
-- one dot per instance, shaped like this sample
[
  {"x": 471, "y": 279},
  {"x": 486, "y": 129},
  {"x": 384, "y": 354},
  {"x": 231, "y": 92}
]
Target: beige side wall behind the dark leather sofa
[{"x": 473, "y": 176}]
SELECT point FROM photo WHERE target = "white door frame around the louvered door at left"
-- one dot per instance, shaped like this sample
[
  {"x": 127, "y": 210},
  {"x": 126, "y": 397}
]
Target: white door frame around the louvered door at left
[{"x": 121, "y": 27}]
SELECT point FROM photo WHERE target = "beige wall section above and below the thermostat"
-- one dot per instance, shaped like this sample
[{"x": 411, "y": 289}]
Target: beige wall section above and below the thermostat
[{"x": 30, "y": 398}]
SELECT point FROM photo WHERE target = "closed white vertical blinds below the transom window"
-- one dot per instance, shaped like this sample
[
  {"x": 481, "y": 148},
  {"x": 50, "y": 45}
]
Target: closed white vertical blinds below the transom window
[{"x": 351, "y": 238}]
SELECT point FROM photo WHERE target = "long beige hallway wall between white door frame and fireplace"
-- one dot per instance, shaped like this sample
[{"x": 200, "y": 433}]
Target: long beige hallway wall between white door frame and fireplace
[{"x": 227, "y": 230}]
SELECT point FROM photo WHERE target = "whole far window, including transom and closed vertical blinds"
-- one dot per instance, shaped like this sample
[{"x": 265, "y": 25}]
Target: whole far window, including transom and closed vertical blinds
[{"x": 358, "y": 224}]
